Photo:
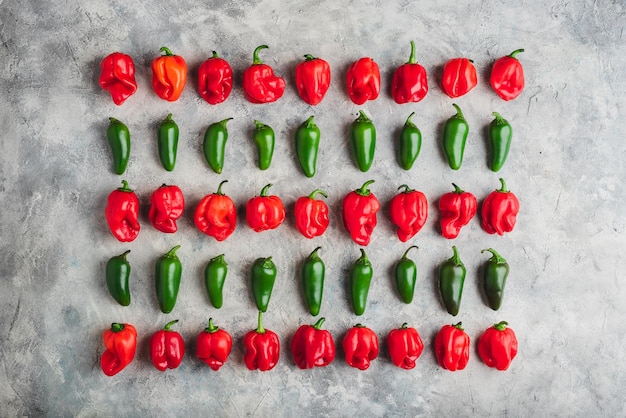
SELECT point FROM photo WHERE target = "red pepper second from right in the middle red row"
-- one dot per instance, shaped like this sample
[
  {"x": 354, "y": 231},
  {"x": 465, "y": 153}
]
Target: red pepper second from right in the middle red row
[{"x": 457, "y": 208}]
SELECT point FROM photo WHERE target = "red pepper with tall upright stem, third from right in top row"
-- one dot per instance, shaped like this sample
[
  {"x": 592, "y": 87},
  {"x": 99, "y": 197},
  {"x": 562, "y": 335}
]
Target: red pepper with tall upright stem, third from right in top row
[{"x": 410, "y": 83}]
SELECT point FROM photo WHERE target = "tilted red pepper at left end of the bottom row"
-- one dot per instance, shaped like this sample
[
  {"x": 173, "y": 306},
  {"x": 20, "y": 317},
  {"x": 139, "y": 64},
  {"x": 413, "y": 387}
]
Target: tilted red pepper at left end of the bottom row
[{"x": 121, "y": 343}]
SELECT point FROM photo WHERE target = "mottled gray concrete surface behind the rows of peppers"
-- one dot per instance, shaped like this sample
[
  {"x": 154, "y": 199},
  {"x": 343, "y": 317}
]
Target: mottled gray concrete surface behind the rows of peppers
[{"x": 565, "y": 297}]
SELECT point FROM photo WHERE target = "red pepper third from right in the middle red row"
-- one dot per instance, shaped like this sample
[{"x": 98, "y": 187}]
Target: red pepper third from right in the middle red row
[{"x": 409, "y": 211}]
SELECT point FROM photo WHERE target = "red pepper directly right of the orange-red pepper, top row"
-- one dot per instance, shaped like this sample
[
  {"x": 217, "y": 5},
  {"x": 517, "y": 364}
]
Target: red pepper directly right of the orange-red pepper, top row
[{"x": 215, "y": 79}]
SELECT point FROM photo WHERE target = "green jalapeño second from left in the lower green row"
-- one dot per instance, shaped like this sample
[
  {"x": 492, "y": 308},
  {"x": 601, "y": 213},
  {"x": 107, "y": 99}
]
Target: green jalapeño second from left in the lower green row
[{"x": 167, "y": 279}]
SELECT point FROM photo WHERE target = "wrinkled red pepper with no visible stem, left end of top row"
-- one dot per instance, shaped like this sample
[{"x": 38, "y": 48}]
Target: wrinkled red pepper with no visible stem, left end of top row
[{"x": 117, "y": 76}]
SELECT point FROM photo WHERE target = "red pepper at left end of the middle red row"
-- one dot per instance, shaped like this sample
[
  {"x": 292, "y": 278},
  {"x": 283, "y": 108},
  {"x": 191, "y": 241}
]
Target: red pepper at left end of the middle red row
[{"x": 122, "y": 213}]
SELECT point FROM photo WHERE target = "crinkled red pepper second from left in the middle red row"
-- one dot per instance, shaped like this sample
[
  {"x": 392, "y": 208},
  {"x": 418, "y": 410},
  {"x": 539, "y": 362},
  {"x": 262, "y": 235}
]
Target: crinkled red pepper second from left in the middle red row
[{"x": 166, "y": 207}]
